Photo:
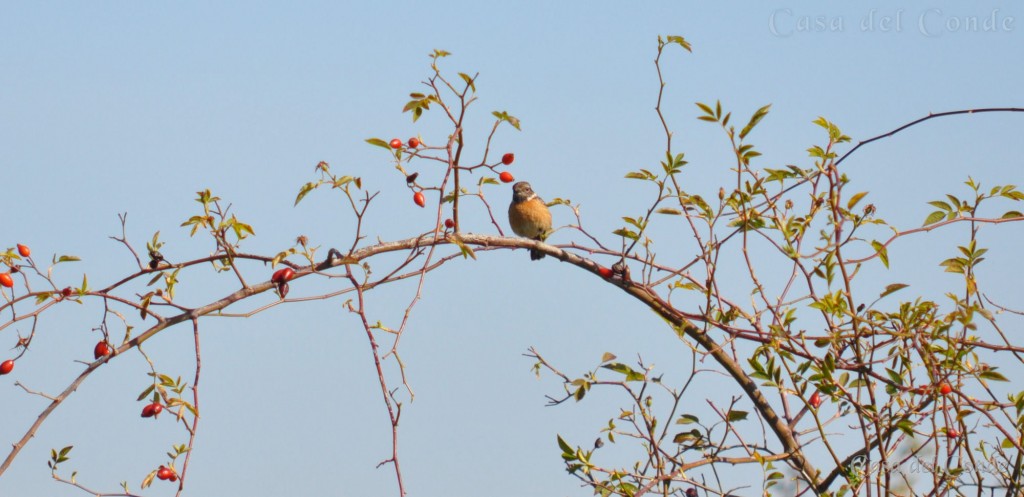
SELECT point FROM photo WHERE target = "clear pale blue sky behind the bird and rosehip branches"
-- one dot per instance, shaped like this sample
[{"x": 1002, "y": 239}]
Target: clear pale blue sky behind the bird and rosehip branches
[{"x": 130, "y": 107}]
